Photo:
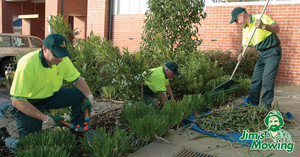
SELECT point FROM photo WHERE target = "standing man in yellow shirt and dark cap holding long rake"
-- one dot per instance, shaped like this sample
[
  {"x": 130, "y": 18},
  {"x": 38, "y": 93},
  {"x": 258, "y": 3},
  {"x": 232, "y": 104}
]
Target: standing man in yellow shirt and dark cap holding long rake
[{"x": 266, "y": 41}]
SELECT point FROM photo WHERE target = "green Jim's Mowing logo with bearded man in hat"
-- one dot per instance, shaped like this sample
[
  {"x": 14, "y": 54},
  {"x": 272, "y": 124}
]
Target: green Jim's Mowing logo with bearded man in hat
[{"x": 273, "y": 138}]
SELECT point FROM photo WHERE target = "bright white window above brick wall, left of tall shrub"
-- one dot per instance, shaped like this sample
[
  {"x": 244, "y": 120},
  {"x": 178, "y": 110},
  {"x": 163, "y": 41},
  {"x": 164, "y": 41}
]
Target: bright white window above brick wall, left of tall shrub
[{"x": 130, "y": 6}]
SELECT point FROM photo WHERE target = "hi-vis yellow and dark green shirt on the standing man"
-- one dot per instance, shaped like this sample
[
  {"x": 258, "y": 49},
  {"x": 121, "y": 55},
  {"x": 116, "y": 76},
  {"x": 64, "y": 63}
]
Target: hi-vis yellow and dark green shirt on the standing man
[{"x": 262, "y": 39}]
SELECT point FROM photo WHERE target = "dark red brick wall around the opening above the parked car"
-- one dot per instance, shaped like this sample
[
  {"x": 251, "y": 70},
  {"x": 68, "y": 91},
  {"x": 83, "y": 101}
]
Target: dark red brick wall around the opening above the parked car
[{"x": 11, "y": 9}]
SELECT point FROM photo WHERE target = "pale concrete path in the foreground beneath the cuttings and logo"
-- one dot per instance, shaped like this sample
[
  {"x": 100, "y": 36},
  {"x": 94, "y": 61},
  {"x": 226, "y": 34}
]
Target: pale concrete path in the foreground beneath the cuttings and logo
[{"x": 183, "y": 140}]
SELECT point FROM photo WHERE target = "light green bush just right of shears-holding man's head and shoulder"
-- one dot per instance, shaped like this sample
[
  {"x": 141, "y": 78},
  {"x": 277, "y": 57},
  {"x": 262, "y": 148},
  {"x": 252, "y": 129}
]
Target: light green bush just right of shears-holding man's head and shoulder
[{"x": 90, "y": 57}]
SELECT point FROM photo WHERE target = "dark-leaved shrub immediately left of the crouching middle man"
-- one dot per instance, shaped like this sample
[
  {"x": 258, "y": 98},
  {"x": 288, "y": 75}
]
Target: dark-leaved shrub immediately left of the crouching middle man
[{"x": 127, "y": 69}]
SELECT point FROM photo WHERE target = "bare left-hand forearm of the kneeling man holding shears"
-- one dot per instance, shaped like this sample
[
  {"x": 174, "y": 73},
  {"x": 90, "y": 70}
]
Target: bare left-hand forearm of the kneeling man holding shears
[{"x": 29, "y": 109}]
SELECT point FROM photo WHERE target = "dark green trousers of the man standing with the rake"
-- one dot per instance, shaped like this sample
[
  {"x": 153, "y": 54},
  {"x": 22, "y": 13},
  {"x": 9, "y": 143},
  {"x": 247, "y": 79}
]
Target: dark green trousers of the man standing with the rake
[{"x": 264, "y": 75}]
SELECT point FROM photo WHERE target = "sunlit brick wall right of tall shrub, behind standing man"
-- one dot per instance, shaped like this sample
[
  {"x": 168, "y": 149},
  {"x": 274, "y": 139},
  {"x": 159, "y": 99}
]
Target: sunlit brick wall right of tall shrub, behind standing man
[{"x": 229, "y": 36}]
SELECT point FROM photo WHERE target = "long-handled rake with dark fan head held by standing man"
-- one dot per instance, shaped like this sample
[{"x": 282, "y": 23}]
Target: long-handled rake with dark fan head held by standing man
[{"x": 231, "y": 85}]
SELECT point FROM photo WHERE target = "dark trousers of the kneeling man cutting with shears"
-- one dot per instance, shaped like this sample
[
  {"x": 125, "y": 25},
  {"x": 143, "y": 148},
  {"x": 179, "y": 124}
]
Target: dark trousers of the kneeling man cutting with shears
[{"x": 63, "y": 98}]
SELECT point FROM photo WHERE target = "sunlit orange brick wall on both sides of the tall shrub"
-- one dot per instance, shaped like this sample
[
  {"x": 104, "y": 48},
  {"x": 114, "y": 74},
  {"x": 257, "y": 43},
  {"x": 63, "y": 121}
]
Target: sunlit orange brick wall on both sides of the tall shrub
[{"x": 229, "y": 36}]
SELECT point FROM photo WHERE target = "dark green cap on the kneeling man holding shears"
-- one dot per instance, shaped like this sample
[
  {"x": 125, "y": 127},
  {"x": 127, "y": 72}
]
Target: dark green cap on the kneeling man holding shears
[{"x": 57, "y": 44}]
